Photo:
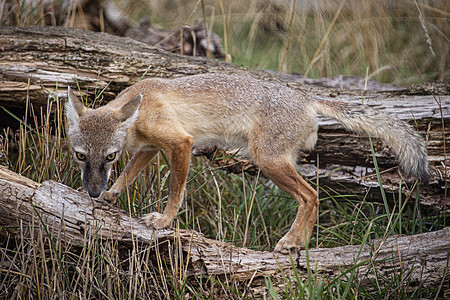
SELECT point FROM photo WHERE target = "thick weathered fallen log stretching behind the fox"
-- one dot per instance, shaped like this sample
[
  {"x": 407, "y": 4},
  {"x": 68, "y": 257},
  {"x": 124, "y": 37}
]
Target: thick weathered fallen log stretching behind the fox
[{"x": 38, "y": 63}]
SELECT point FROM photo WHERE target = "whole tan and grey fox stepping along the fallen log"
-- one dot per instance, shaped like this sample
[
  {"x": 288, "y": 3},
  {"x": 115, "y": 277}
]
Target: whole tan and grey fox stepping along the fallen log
[{"x": 268, "y": 121}]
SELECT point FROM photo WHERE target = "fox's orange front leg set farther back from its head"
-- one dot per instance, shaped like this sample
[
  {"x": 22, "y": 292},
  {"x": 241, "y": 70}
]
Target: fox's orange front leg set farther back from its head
[{"x": 179, "y": 156}]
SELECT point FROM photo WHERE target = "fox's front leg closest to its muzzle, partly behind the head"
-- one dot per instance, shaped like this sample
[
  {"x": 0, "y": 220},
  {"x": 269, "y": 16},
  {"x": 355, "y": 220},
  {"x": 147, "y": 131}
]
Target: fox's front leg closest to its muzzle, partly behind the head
[{"x": 134, "y": 167}]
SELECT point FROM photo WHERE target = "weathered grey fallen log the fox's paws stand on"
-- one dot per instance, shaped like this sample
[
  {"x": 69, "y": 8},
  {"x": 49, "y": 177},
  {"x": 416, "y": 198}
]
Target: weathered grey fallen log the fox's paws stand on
[{"x": 422, "y": 258}]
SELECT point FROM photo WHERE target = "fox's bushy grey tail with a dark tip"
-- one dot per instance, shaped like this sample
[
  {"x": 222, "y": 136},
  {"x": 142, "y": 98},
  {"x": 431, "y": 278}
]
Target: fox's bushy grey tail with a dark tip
[{"x": 408, "y": 145}]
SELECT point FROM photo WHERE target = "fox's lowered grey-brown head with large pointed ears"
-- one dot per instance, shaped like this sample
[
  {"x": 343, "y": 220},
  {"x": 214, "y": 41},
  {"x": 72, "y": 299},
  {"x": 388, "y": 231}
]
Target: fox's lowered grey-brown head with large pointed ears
[{"x": 97, "y": 138}]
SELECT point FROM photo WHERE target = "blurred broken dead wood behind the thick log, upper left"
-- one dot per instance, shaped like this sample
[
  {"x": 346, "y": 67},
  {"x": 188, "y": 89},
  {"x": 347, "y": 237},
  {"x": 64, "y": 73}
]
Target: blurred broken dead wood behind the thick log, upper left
[{"x": 104, "y": 16}]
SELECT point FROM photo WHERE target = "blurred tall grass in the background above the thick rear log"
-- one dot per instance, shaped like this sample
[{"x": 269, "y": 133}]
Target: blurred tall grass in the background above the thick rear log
[{"x": 399, "y": 42}]
